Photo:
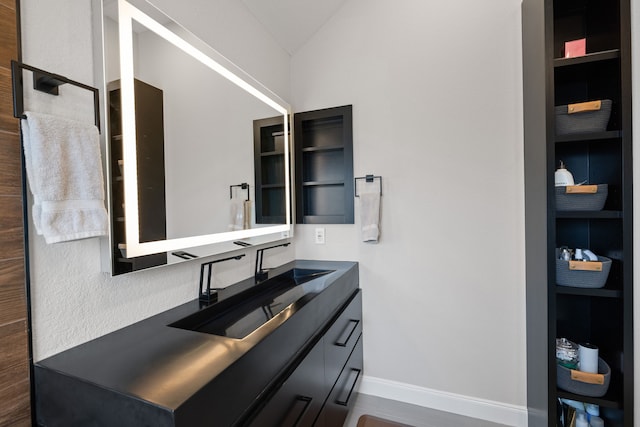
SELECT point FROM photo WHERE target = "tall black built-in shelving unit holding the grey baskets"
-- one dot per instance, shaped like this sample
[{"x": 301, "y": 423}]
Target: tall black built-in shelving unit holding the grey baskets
[{"x": 601, "y": 316}]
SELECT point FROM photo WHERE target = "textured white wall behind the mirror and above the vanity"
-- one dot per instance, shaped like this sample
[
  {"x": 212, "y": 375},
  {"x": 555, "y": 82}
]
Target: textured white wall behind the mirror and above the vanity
[{"x": 72, "y": 301}]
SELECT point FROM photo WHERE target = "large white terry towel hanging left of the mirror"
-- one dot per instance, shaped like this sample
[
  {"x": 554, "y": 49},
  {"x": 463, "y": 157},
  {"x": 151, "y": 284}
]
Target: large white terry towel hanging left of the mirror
[{"x": 64, "y": 170}]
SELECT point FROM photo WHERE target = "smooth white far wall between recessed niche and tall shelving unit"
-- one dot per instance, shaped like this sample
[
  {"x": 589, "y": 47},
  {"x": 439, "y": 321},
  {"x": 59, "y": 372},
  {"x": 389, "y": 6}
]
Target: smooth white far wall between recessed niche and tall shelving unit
[{"x": 436, "y": 89}]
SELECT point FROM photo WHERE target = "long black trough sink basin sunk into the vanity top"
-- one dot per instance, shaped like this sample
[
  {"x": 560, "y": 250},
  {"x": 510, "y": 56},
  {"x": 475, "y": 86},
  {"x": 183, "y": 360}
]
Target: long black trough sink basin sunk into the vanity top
[{"x": 241, "y": 314}]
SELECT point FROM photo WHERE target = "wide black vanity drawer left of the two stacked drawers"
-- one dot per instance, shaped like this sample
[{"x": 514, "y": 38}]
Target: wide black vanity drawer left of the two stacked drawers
[{"x": 299, "y": 399}]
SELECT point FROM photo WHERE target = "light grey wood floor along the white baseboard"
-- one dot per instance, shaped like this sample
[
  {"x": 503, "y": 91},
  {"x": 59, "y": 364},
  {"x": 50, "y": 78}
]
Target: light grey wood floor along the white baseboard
[{"x": 411, "y": 415}]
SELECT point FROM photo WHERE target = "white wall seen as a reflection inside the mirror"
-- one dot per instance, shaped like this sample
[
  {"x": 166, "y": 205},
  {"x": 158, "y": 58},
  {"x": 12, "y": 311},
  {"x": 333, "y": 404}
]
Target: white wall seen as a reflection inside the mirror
[{"x": 210, "y": 142}]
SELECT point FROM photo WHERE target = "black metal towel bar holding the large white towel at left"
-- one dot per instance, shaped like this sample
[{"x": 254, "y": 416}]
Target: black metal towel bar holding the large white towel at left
[{"x": 47, "y": 82}]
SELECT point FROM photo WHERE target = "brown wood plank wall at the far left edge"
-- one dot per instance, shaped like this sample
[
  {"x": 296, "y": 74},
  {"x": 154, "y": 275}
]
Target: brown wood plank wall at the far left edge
[{"x": 15, "y": 406}]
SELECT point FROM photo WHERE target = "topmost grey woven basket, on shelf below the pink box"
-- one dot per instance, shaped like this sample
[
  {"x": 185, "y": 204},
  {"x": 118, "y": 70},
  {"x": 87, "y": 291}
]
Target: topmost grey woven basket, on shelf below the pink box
[{"x": 584, "y": 121}]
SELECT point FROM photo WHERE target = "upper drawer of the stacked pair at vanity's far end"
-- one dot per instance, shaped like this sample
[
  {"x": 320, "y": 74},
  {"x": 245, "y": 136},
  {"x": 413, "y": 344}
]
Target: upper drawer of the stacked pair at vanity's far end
[{"x": 342, "y": 337}]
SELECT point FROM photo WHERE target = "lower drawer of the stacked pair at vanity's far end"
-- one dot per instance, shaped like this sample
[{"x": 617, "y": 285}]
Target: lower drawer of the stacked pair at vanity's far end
[{"x": 342, "y": 395}]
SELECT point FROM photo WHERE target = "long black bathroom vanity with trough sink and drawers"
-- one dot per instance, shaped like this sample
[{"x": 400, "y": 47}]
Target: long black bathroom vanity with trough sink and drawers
[{"x": 283, "y": 352}]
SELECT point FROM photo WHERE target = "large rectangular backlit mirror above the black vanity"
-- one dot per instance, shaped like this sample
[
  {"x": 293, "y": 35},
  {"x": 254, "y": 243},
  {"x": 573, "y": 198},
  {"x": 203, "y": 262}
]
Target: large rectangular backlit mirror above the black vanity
[{"x": 181, "y": 143}]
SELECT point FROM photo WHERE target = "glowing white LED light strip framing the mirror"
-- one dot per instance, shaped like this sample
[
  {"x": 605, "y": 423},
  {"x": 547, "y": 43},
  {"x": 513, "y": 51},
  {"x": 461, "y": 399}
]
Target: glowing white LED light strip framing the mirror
[{"x": 127, "y": 13}]
